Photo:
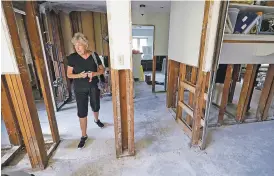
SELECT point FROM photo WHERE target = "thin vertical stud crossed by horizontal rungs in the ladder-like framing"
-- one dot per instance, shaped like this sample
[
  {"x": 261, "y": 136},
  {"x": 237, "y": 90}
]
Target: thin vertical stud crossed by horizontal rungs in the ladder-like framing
[{"x": 181, "y": 91}]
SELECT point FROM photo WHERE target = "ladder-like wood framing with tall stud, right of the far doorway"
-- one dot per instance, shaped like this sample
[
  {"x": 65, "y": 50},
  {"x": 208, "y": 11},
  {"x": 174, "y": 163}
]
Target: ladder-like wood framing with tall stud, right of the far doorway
[{"x": 193, "y": 79}]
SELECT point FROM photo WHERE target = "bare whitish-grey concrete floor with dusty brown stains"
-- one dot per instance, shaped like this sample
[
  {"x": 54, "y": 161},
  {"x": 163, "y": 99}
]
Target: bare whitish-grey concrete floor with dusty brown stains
[{"x": 161, "y": 146}]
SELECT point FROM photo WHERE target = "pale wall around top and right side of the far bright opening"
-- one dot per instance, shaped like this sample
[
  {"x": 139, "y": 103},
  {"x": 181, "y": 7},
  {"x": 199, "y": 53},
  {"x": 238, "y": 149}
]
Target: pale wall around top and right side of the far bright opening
[{"x": 161, "y": 22}]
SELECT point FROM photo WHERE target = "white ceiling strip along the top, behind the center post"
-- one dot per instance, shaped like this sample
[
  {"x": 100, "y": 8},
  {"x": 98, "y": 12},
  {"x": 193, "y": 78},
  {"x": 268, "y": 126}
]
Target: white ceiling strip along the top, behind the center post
[{"x": 100, "y": 6}]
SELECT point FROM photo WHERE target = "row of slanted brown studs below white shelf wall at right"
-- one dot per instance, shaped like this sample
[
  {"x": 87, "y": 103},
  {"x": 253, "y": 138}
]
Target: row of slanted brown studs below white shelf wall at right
[{"x": 266, "y": 96}]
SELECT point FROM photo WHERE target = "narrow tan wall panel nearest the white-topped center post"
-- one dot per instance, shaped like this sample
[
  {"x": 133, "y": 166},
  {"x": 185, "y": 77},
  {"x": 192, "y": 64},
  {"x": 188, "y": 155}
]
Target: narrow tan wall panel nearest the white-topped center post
[{"x": 98, "y": 33}]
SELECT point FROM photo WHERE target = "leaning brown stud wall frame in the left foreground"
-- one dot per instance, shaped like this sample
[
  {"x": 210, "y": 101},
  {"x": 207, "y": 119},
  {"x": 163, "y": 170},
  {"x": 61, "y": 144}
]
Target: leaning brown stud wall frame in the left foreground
[{"x": 20, "y": 90}]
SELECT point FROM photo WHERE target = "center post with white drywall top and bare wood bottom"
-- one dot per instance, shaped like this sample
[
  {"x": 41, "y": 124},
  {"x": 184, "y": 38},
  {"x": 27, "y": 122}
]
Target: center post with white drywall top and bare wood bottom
[{"x": 121, "y": 79}]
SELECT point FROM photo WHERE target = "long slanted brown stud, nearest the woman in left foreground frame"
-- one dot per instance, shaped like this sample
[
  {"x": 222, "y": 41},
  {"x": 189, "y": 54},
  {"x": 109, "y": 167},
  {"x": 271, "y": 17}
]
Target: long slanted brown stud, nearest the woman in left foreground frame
[{"x": 37, "y": 53}]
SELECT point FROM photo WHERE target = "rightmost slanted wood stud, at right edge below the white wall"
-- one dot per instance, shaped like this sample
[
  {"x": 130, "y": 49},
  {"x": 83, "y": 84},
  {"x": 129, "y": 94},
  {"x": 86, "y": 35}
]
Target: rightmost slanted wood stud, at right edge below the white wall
[{"x": 266, "y": 94}]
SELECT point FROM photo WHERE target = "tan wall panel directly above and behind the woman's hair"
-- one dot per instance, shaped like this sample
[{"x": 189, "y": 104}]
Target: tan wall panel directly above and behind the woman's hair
[{"x": 88, "y": 28}]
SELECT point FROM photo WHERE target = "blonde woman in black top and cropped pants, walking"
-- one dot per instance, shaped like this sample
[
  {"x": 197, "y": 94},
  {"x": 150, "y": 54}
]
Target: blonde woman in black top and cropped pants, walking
[{"x": 82, "y": 68}]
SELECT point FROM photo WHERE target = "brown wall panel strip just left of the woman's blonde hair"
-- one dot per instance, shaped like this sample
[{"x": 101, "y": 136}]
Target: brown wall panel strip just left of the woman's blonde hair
[{"x": 67, "y": 33}]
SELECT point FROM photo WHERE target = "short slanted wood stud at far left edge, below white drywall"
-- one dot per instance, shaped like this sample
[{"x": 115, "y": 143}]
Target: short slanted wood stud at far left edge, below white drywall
[{"x": 9, "y": 115}]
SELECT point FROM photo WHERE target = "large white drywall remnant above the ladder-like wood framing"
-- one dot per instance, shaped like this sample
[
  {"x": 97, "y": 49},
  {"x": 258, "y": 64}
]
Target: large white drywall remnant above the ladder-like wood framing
[{"x": 186, "y": 19}]
